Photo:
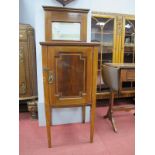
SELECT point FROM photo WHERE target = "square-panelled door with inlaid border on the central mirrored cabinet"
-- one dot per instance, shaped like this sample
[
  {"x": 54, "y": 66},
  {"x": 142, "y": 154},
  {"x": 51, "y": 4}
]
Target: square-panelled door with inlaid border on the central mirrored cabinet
[{"x": 70, "y": 75}]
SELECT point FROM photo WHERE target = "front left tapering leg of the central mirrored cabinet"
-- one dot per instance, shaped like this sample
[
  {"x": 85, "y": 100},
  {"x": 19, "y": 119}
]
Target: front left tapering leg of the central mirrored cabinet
[{"x": 48, "y": 125}]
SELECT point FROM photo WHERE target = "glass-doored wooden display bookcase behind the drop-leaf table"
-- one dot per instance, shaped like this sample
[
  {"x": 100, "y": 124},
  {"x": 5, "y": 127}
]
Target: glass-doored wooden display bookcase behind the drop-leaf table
[{"x": 115, "y": 33}]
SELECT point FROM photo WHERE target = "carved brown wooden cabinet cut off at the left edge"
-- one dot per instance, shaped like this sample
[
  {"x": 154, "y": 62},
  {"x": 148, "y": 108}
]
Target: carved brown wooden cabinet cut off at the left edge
[{"x": 27, "y": 68}]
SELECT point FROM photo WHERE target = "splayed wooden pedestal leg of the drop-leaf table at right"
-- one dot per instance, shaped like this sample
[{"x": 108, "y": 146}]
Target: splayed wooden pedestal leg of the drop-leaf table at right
[{"x": 109, "y": 112}]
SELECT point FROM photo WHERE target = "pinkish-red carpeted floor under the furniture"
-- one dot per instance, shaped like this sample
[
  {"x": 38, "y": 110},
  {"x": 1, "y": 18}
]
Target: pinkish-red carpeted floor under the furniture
[{"x": 73, "y": 139}]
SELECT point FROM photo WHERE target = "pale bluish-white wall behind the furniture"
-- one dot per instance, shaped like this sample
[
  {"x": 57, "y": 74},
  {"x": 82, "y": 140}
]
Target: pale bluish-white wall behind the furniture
[{"x": 31, "y": 12}]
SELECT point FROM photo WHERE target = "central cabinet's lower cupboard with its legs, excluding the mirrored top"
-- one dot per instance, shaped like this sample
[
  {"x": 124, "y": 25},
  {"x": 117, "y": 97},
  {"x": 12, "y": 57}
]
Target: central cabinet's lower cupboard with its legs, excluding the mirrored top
[{"x": 69, "y": 76}]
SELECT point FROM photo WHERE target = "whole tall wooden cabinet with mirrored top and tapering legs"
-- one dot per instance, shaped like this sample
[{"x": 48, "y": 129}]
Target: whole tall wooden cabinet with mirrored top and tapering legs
[{"x": 69, "y": 63}]
